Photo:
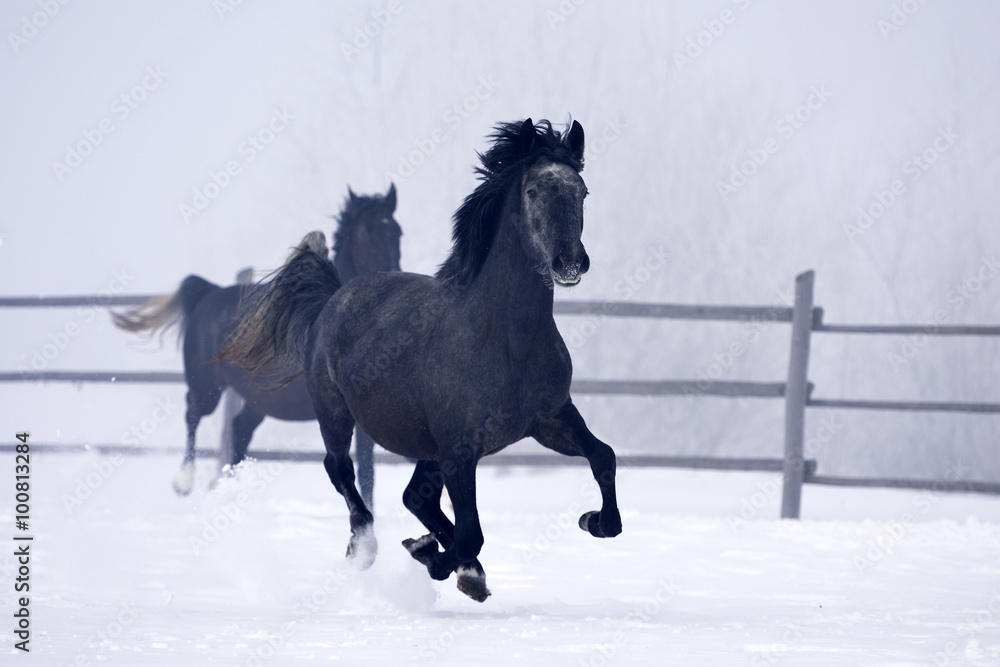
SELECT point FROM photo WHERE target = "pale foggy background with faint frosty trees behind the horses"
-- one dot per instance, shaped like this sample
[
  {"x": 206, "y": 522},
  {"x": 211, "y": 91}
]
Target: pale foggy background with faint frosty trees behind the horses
[{"x": 743, "y": 141}]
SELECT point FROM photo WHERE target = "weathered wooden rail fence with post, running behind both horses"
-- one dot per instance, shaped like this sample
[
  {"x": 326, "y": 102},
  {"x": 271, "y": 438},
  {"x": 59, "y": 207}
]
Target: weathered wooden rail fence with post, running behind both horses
[{"x": 805, "y": 320}]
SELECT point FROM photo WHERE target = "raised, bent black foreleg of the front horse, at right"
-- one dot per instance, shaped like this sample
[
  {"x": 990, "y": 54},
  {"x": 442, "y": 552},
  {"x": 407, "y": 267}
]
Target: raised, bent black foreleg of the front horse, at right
[{"x": 567, "y": 433}]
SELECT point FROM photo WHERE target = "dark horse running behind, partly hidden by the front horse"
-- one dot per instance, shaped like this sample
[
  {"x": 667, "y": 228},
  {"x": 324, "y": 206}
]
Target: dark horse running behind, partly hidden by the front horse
[{"x": 366, "y": 241}]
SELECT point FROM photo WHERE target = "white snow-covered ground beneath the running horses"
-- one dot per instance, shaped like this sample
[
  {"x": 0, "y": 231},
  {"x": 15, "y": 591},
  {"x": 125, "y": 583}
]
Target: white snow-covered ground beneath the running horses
[{"x": 252, "y": 573}]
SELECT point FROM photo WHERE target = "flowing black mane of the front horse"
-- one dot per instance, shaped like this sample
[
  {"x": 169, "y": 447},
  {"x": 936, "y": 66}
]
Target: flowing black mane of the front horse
[{"x": 476, "y": 220}]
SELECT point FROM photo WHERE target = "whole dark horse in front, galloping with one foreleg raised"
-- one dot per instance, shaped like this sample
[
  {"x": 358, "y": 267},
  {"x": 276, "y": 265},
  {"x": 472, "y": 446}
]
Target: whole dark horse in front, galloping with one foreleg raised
[{"x": 474, "y": 361}]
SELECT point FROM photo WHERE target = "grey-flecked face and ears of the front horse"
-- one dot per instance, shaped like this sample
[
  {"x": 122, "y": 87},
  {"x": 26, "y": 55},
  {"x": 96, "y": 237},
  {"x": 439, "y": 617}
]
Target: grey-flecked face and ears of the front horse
[{"x": 551, "y": 199}]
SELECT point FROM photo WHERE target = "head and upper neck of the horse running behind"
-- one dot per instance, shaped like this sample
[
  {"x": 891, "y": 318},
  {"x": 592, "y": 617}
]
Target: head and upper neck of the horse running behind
[{"x": 367, "y": 238}]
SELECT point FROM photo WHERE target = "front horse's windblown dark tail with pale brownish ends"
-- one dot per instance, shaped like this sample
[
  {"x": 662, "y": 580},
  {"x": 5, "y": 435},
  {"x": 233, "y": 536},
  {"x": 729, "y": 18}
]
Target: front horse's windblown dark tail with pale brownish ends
[{"x": 279, "y": 311}]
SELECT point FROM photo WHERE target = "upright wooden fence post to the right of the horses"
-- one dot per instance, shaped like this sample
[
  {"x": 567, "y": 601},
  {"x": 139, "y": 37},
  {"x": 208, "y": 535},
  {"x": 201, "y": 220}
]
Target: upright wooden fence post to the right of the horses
[{"x": 796, "y": 395}]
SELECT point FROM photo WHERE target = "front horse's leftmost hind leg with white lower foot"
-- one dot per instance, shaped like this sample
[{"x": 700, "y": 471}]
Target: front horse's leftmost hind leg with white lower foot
[{"x": 337, "y": 425}]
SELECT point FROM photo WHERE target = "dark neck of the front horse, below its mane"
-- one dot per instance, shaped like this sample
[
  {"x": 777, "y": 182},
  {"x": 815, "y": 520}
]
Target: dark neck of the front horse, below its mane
[{"x": 509, "y": 292}]
